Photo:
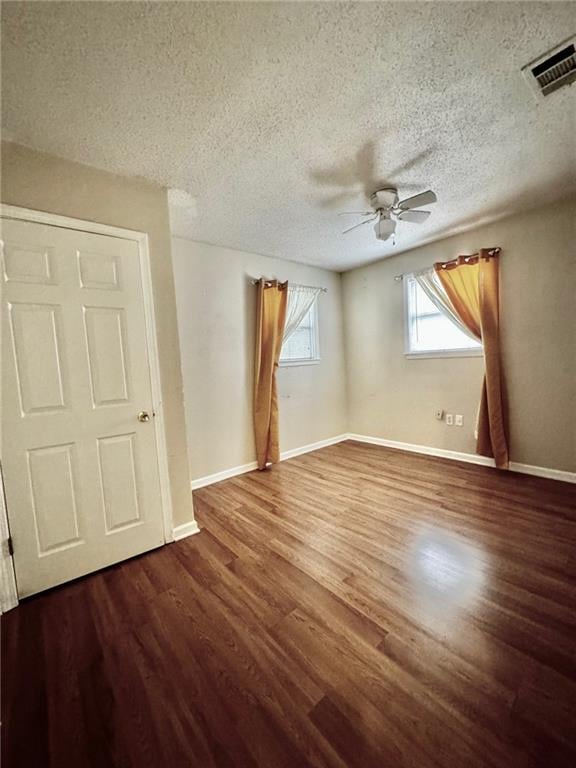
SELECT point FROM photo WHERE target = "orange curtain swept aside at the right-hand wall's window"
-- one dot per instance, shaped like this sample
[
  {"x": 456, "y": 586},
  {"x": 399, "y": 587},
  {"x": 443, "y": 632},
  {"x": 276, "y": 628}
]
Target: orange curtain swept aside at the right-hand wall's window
[{"x": 471, "y": 283}]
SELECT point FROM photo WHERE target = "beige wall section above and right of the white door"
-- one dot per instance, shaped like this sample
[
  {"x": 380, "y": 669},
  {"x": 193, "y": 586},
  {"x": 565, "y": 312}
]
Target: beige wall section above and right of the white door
[{"x": 42, "y": 182}]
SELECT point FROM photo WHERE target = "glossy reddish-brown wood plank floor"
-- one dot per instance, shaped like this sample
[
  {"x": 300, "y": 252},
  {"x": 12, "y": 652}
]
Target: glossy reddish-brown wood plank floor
[{"x": 356, "y": 606}]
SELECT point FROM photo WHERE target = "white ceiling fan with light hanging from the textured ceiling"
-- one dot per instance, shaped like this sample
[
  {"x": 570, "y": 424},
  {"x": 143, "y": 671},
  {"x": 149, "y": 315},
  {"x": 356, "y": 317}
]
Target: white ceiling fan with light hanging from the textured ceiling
[{"x": 387, "y": 210}]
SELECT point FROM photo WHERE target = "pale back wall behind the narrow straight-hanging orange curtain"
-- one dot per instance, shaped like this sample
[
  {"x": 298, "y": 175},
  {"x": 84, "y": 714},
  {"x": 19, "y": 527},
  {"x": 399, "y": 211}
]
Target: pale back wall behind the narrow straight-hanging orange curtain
[{"x": 216, "y": 317}]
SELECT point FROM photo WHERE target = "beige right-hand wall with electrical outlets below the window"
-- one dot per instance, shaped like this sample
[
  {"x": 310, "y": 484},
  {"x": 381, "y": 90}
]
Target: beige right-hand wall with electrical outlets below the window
[{"x": 392, "y": 397}]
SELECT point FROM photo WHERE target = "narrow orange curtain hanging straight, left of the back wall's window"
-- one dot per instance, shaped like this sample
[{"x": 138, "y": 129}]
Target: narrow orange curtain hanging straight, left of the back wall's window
[{"x": 270, "y": 320}]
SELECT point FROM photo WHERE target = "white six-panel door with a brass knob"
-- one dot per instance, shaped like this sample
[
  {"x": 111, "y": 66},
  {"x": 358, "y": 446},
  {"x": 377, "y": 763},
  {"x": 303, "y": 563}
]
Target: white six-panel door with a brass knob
[{"x": 80, "y": 469}]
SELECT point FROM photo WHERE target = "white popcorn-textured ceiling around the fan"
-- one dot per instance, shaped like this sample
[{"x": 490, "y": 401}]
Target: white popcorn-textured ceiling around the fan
[{"x": 276, "y": 116}]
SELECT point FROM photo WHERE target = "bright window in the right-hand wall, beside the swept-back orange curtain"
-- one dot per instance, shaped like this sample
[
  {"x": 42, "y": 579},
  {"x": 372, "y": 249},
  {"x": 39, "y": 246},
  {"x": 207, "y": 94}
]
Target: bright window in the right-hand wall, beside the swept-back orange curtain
[{"x": 429, "y": 332}]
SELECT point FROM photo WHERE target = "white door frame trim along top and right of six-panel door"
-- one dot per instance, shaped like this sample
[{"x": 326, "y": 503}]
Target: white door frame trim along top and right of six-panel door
[{"x": 141, "y": 240}]
